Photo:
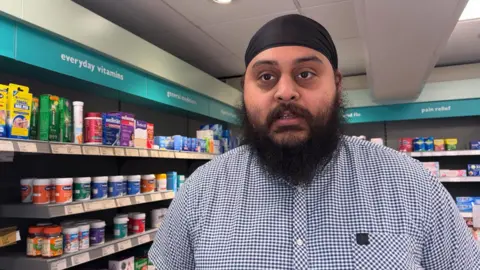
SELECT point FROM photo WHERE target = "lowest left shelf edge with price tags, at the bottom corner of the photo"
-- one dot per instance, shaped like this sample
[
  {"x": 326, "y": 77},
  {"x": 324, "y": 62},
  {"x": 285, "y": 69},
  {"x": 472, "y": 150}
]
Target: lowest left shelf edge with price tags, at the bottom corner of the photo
[{"x": 21, "y": 261}]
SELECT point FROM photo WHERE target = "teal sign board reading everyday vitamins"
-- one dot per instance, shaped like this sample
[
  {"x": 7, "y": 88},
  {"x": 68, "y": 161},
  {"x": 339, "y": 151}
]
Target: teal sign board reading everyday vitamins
[{"x": 39, "y": 49}]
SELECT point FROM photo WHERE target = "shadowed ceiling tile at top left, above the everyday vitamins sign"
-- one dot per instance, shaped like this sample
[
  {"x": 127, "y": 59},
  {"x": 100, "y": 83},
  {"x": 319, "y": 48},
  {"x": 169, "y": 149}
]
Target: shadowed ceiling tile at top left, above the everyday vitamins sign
[{"x": 138, "y": 17}]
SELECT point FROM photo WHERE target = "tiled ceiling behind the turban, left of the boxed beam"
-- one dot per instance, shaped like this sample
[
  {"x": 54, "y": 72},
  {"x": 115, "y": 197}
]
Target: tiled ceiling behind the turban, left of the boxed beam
[{"x": 214, "y": 37}]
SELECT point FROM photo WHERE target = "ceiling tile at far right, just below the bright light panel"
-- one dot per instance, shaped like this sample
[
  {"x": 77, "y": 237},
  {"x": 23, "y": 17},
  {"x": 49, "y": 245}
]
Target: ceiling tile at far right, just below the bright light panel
[{"x": 463, "y": 46}]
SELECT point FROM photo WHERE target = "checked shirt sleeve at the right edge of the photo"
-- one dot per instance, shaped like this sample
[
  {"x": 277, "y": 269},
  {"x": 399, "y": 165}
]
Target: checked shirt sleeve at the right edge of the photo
[{"x": 448, "y": 243}]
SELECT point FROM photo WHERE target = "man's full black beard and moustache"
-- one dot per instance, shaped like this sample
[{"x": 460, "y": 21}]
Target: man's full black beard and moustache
[{"x": 297, "y": 162}]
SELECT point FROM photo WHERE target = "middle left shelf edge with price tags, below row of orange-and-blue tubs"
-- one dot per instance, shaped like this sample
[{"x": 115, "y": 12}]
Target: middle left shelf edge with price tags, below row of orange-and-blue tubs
[{"x": 58, "y": 210}]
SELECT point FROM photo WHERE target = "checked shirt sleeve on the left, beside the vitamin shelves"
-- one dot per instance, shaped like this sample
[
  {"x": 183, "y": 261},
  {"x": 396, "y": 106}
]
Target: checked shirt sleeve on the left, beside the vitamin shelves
[{"x": 172, "y": 248}]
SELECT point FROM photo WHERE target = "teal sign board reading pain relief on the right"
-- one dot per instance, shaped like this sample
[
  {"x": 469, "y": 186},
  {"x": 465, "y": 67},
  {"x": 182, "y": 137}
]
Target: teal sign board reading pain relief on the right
[{"x": 410, "y": 111}]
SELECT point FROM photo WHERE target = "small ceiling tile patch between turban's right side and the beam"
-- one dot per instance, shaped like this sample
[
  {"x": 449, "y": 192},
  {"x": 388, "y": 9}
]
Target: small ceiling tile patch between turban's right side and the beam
[{"x": 351, "y": 56}]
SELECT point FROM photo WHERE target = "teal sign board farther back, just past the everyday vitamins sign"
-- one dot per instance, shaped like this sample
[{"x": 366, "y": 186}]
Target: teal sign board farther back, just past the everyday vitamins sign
[{"x": 177, "y": 97}]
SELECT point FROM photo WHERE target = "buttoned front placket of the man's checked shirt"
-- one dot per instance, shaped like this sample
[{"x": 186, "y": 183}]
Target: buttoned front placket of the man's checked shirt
[{"x": 300, "y": 251}]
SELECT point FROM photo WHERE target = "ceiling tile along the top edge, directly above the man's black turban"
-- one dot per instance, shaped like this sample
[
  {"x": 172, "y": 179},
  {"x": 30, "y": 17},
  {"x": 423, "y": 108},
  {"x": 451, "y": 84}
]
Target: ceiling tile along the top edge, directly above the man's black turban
[{"x": 206, "y": 12}]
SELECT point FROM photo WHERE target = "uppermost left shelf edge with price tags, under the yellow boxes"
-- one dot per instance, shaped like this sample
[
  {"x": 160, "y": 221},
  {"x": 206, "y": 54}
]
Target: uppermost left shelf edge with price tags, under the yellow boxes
[{"x": 41, "y": 147}]
